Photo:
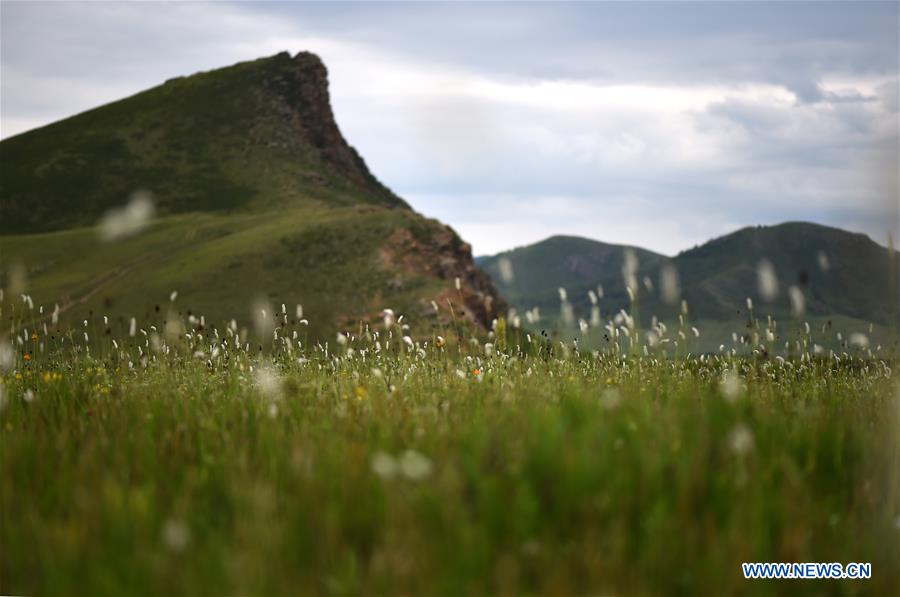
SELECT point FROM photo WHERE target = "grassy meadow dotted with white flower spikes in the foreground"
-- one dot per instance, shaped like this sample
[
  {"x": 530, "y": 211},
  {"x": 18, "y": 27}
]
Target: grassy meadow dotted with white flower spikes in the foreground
[{"x": 178, "y": 460}]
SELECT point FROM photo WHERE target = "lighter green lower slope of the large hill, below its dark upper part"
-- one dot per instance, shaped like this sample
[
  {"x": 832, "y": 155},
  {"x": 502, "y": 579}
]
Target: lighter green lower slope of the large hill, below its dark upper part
[{"x": 328, "y": 259}]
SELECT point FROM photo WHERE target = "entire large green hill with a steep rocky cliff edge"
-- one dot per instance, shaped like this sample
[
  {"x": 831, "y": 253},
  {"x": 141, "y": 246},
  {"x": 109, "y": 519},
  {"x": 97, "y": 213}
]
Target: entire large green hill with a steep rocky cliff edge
[{"x": 257, "y": 196}]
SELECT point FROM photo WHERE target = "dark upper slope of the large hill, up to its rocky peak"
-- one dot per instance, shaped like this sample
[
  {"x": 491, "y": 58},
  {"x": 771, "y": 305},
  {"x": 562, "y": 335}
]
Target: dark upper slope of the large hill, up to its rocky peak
[{"x": 254, "y": 135}]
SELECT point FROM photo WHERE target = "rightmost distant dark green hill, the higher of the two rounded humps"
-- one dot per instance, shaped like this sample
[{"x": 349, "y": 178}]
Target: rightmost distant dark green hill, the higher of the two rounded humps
[{"x": 858, "y": 278}]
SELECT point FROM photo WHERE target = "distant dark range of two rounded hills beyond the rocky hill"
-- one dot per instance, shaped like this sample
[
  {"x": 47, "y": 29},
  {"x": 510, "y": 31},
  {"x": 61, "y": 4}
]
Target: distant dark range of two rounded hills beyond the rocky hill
[{"x": 842, "y": 276}]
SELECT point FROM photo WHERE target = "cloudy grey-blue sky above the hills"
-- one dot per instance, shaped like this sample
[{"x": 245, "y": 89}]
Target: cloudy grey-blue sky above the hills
[{"x": 660, "y": 125}]
